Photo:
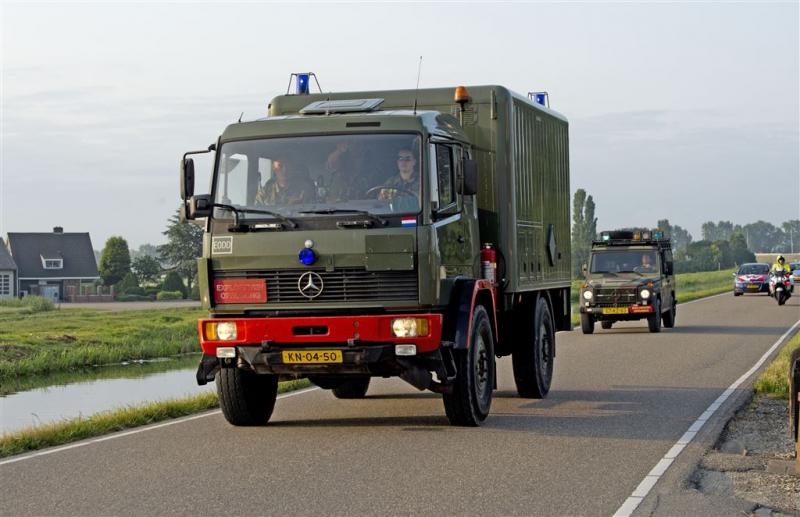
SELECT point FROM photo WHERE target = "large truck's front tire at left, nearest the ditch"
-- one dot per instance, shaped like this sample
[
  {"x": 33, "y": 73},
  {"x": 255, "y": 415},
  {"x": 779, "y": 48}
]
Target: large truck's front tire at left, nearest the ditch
[{"x": 246, "y": 398}]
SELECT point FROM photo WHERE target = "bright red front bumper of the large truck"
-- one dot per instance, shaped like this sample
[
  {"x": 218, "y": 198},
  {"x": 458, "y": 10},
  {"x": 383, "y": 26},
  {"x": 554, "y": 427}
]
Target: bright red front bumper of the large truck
[{"x": 322, "y": 330}]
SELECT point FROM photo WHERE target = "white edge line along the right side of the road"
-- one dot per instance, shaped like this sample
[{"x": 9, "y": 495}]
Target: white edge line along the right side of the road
[{"x": 650, "y": 480}]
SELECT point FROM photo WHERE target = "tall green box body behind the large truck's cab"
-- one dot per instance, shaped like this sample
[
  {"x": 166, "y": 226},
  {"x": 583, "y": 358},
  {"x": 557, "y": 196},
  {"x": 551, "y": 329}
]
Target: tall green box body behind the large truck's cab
[{"x": 522, "y": 154}]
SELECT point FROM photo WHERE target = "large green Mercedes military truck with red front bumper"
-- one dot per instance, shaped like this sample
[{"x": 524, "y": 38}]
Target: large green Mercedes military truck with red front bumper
[{"x": 408, "y": 233}]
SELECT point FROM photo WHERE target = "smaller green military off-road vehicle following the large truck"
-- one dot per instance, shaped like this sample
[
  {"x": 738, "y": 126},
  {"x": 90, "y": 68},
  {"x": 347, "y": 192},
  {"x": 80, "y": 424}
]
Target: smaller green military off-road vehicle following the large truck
[{"x": 629, "y": 277}]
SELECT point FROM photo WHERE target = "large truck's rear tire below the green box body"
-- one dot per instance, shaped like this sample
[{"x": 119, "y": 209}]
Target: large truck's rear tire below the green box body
[{"x": 533, "y": 359}]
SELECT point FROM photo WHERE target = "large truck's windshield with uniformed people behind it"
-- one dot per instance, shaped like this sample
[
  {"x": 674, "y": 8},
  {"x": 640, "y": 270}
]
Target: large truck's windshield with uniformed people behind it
[{"x": 313, "y": 175}]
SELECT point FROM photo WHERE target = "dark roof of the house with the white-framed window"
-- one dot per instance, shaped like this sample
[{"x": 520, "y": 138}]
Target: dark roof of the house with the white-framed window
[{"x": 29, "y": 250}]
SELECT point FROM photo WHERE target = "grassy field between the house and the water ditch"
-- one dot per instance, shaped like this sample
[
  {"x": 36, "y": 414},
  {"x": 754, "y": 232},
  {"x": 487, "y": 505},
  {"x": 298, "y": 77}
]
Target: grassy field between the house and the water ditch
[{"x": 35, "y": 343}]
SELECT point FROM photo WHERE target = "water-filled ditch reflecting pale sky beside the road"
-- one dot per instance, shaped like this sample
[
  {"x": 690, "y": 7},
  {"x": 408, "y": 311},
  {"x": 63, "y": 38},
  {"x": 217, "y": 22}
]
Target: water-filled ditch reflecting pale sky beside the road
[{"x": 46, "y": 399}]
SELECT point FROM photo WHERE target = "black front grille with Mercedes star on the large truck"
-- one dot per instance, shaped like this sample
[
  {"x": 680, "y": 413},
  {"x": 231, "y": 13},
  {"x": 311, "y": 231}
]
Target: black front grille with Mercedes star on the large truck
[{"x": 341, "y": 285}]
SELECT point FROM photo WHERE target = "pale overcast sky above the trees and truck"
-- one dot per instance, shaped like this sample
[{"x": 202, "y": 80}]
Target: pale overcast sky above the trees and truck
[{"x": 682, "y": 110}]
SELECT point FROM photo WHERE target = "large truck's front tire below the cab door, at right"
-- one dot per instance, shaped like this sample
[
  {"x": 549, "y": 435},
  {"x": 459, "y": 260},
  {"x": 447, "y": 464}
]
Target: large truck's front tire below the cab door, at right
[{"x": 471, "y": 398}]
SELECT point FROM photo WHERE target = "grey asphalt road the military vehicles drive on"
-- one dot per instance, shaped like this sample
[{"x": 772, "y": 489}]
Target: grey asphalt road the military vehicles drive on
[{"x": 620, "y": 400}]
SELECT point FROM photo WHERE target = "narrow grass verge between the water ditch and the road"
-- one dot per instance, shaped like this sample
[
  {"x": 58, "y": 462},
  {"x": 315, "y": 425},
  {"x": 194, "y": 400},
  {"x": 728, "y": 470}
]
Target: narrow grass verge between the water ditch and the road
[{"x": 59, "y": 433}]
